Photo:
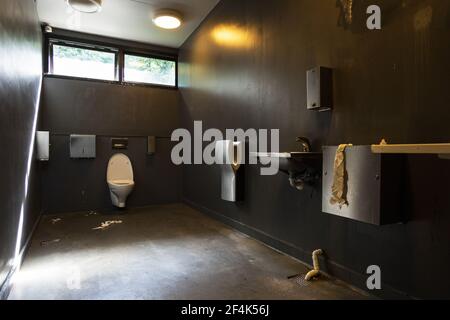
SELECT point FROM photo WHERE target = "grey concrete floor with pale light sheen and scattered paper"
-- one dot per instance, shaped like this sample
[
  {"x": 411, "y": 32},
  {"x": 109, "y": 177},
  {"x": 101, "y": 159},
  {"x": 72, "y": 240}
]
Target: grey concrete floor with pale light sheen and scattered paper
[{"x": 160, "y": 252}]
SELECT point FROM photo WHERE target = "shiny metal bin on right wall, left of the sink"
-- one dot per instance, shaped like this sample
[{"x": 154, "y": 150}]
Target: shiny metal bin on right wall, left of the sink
[{"x": 229, "y": 155}]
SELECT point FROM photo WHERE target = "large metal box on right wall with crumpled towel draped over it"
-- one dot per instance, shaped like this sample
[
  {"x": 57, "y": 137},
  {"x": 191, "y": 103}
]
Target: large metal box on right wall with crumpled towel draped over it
[{"x": 375, "y": 186}]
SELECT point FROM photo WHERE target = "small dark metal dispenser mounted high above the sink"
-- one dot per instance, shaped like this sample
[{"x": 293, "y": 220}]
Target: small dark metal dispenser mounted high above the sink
[{"x": 319, "y": 91}]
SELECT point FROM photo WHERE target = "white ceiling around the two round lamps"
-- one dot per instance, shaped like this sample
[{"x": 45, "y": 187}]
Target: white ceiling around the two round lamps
[{"x": 128, "y": 19}]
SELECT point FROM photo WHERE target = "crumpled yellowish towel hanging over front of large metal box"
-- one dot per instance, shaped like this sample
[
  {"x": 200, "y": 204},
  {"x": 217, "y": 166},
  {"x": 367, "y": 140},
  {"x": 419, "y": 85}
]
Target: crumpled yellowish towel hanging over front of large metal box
[{"x": 339, "y": 188}]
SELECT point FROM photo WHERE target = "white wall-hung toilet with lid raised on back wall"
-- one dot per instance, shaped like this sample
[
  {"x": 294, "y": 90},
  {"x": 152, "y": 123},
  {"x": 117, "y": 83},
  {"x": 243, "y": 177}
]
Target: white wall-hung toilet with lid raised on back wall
[{"x": 120, "y": 179}]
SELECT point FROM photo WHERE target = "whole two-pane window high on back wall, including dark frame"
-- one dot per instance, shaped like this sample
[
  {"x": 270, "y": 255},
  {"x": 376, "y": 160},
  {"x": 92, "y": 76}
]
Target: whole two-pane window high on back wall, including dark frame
[{"x": 95, "y": 60}]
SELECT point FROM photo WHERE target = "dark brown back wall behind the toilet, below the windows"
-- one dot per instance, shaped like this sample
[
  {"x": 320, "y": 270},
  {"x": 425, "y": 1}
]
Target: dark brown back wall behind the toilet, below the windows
[{"x": 87, "y": 107}]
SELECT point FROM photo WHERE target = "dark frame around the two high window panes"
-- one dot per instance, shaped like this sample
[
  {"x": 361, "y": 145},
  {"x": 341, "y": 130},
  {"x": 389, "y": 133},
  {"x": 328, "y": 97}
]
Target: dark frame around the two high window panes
[{"x": 120, "y": 52}]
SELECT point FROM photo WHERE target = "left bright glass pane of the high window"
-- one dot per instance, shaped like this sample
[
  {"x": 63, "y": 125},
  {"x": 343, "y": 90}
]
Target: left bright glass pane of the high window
[{"x": 81, "y": 62}]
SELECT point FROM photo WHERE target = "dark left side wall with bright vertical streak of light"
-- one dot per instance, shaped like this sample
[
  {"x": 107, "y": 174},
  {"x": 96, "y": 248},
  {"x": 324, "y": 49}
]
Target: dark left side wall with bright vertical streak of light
[{"x": 20, "y": 78}]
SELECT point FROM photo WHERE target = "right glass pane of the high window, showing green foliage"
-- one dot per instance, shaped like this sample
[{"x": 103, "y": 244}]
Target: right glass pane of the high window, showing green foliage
[{"x": 142, "y": 69}]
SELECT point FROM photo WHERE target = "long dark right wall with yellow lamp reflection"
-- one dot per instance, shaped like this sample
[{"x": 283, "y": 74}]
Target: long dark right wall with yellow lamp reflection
[{"x": 389, "y": 84}]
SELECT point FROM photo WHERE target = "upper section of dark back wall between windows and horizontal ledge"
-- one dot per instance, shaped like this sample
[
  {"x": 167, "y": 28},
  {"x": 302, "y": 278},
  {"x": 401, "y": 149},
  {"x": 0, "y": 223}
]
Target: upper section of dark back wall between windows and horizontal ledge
[{"x": 71, "y": 106}]
